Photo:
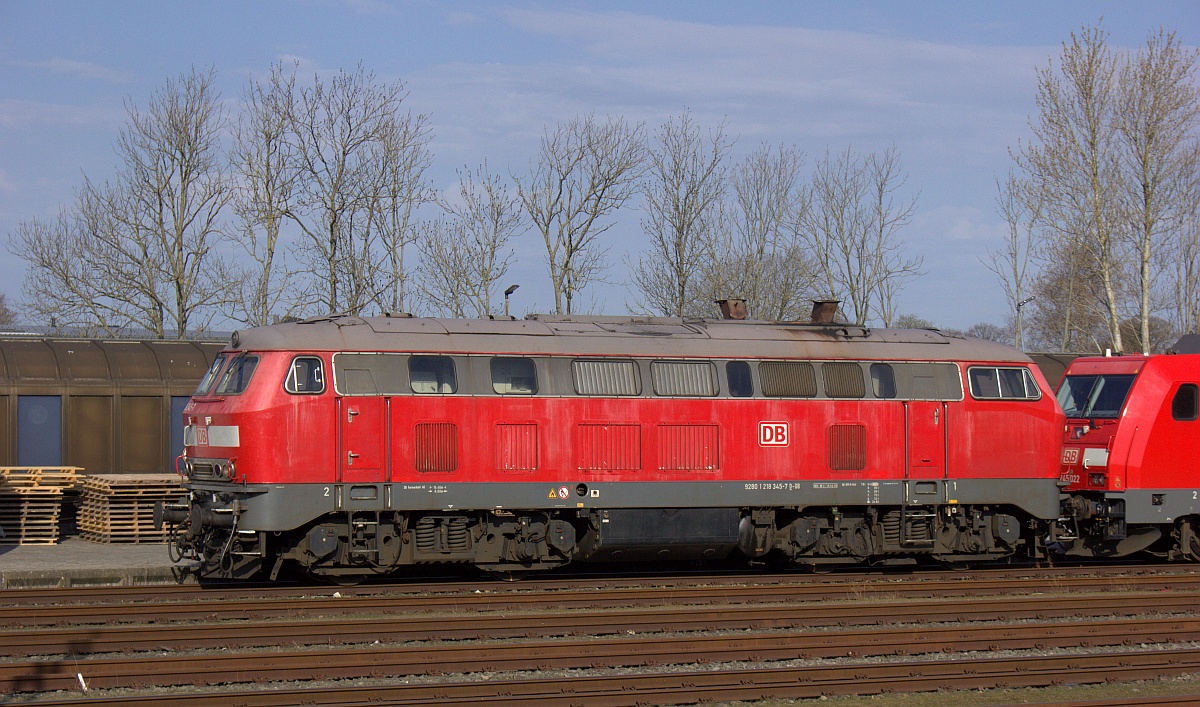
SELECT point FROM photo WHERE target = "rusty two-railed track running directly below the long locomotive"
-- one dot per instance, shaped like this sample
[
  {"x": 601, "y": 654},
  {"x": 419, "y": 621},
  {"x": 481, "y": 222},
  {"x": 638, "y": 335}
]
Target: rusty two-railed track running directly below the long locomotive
[{"x": 49, "y": 608}]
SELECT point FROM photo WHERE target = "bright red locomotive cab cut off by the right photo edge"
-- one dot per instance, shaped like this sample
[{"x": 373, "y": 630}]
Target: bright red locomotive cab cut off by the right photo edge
[{"x": 1131, "y": 459}]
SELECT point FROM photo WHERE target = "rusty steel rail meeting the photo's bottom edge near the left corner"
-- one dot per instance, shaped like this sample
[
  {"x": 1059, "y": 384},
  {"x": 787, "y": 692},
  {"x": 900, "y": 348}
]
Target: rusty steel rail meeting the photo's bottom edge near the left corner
[{"x": 674, "y": 688}]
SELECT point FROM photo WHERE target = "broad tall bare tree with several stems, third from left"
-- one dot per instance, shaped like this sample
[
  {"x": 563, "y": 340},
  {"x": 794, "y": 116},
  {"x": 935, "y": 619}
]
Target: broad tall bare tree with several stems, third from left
[{"x": 359, "y": 161}]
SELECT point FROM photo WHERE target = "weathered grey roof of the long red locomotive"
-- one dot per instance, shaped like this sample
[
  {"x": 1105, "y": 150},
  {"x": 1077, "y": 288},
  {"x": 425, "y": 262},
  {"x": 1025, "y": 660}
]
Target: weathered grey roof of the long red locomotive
[{"x": 653, "y": 337}]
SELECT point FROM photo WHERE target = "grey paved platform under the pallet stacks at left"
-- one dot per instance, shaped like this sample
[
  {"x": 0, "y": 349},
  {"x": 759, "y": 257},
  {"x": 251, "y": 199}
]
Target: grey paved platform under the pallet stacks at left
[{"x": 75, "y": 562}]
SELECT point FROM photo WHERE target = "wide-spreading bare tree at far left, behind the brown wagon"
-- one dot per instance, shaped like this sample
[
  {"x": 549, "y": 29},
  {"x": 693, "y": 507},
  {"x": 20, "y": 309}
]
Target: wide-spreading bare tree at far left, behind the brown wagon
[{"x": 139, "y": 253}]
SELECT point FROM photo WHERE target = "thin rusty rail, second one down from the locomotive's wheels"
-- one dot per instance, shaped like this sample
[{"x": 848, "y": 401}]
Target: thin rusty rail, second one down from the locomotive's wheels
[{"x": 481, "y": 600}]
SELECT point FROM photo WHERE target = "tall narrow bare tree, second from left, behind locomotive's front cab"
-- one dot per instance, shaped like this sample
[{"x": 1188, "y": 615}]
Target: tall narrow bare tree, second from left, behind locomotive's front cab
[{"x": 265, "y": 159}]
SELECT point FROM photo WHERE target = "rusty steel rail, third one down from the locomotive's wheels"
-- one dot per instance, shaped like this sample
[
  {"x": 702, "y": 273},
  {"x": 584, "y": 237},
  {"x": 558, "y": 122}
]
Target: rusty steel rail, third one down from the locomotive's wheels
[{"x": 471, "y": 625}]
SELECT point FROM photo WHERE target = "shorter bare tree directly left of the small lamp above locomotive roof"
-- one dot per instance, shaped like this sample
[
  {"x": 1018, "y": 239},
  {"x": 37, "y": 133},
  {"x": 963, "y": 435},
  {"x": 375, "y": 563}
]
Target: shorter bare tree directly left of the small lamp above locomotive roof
[{"x": 466, "y": 255}]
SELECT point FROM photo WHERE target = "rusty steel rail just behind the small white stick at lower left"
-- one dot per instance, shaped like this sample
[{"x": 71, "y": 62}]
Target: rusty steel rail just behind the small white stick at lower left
[{"x": 368, "y": 662}]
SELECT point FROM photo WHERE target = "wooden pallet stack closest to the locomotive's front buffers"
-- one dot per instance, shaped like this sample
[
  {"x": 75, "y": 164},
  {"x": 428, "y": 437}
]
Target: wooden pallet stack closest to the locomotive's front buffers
[{"x": 119, "y": 508}]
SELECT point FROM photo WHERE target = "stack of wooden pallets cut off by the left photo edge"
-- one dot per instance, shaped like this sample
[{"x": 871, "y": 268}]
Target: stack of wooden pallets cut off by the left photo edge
[{"x": 32, "y": 504}]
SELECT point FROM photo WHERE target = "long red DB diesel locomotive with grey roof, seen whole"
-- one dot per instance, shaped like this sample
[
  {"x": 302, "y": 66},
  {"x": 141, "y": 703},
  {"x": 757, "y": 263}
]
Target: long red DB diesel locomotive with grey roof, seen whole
[{"x": 364, "y": 445}]
